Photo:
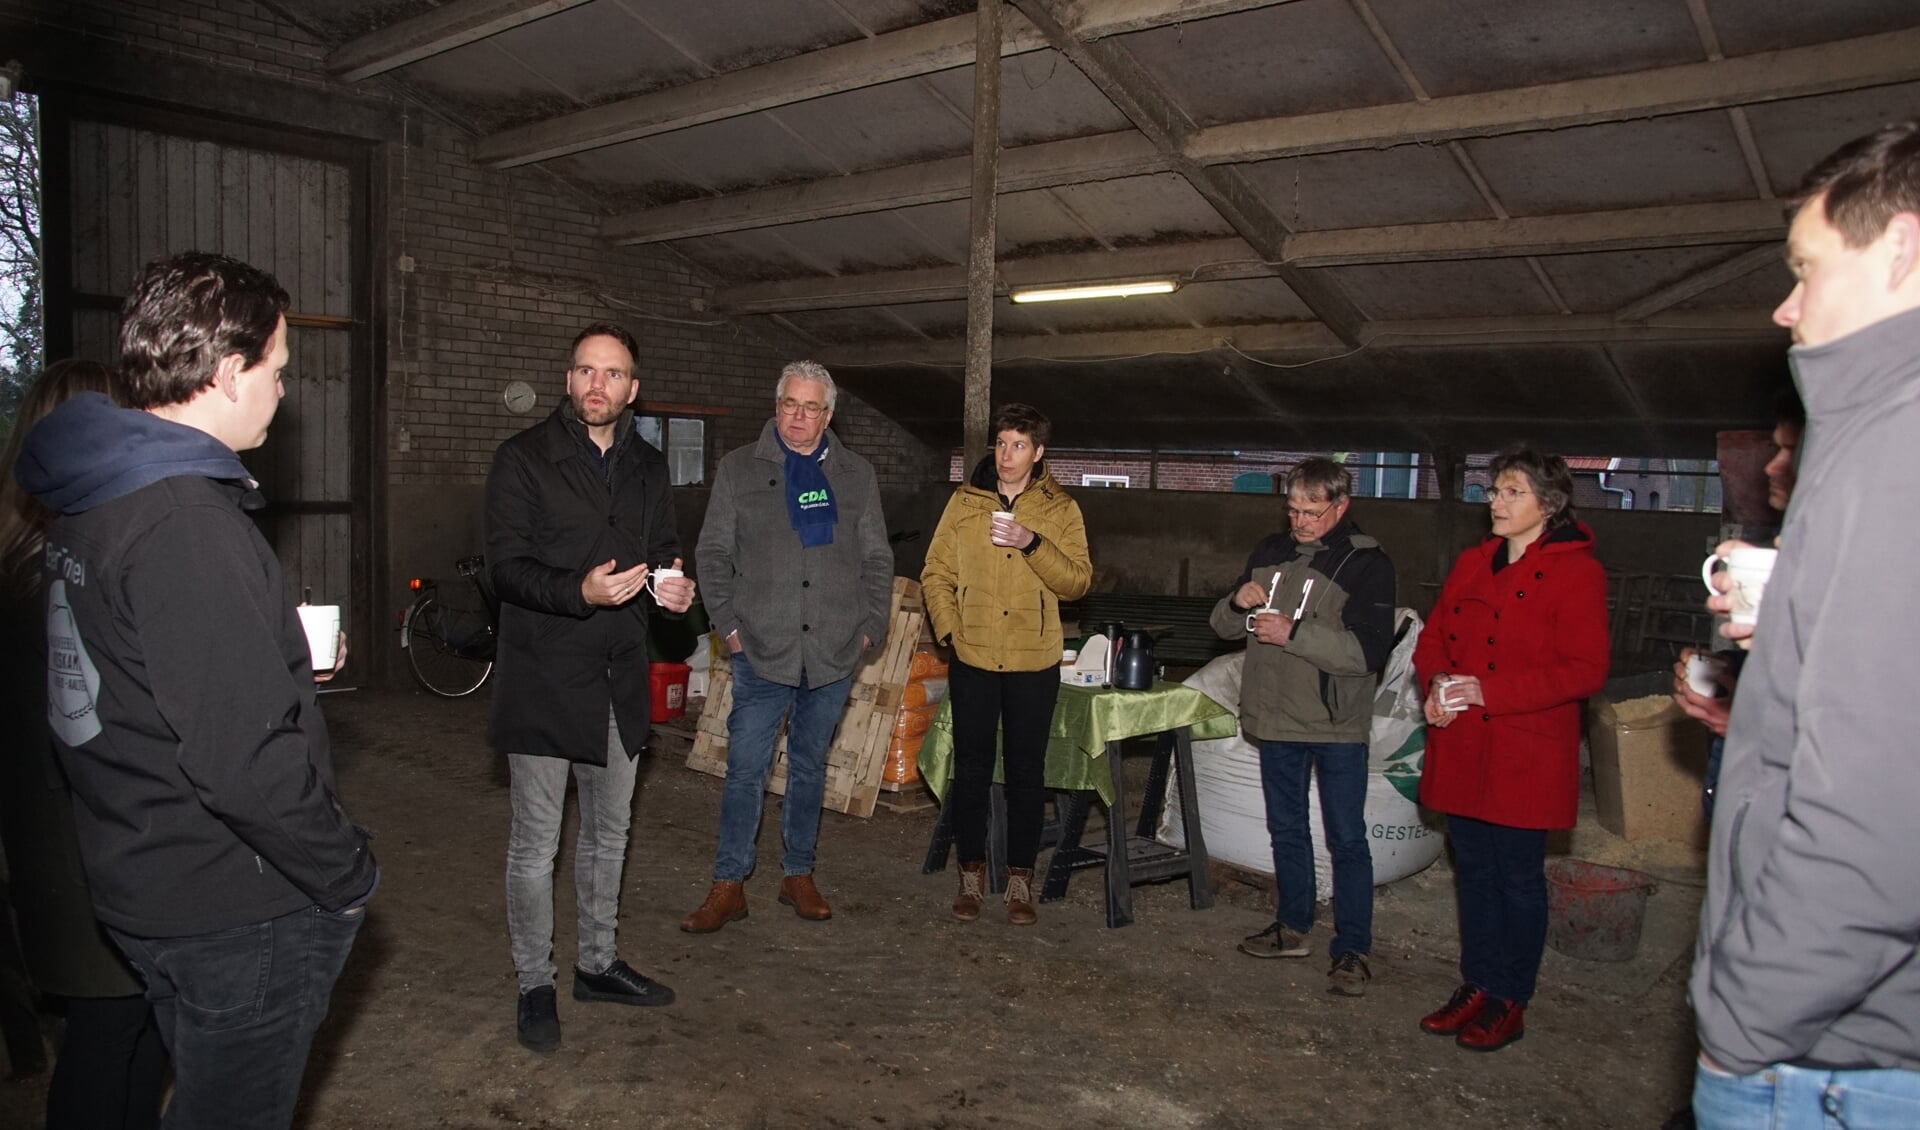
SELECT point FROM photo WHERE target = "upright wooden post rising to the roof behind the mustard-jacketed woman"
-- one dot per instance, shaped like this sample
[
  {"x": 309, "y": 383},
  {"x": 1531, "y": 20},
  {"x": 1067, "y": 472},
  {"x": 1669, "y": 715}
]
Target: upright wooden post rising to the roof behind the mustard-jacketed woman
[{"x": 980, "y": 262}]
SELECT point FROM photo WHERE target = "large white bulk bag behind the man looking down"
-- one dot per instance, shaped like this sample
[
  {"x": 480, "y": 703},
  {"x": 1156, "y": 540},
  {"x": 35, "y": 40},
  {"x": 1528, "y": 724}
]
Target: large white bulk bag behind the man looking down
[{"x": 1234, "y": 809}]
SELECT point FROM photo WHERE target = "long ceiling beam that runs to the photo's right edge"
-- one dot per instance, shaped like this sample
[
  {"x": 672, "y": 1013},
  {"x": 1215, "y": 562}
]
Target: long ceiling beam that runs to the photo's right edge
[{"x": 1788, "y": 74}]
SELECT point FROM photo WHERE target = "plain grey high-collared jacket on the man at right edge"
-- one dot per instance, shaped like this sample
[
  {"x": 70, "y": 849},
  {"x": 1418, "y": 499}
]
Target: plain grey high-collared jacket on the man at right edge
[{"x": 1808, "y": 941}]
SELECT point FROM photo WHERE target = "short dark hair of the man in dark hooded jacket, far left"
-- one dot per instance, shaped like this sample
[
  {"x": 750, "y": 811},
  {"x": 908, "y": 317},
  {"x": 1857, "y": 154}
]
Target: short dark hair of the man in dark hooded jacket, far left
[{"x": 189, "y": 312}]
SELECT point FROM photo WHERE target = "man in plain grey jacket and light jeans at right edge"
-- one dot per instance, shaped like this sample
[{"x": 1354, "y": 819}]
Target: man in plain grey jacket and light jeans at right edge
[{"x": 1806, "y": 977}]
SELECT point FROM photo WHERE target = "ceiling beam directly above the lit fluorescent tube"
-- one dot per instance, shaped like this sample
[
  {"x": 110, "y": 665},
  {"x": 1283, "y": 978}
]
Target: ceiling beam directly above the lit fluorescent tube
[{"x": 1232, "y": 258}]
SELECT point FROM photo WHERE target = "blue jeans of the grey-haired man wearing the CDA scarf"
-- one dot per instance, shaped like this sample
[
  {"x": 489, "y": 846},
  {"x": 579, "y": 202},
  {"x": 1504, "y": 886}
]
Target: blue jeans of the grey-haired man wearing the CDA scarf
[{"x": 754, "y": 724}]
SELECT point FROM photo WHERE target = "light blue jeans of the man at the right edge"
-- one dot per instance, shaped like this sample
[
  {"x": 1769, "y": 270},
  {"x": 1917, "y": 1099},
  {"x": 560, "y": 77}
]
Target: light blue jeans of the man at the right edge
[{"x": 1806, "y": 1098}]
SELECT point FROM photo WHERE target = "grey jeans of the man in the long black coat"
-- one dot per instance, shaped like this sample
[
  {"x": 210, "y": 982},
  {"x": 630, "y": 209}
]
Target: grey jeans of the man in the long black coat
[{"x": 600, "y": 855}]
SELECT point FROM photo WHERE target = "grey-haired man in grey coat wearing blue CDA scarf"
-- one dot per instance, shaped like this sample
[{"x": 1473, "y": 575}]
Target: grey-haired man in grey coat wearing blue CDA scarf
[{"x": 800, "y": 577}]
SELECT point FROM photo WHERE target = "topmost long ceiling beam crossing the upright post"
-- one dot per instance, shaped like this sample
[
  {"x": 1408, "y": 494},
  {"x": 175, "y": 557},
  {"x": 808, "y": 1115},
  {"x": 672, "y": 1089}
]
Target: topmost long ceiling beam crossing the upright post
[{"x": 867, "y": 62}]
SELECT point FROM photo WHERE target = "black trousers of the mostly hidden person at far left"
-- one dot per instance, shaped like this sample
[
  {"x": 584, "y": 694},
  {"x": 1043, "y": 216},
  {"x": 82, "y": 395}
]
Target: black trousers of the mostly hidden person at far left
[{"x": 112, "y": 1068}]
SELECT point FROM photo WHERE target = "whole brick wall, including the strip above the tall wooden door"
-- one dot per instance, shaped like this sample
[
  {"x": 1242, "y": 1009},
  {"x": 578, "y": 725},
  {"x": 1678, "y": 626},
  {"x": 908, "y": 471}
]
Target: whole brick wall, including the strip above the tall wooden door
[{"x": 506, "y": 268}]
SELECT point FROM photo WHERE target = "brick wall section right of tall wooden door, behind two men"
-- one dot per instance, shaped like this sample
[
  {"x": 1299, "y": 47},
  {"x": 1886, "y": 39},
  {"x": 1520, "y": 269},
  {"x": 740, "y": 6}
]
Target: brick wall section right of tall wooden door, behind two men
[{"x": 506, "y": 271}]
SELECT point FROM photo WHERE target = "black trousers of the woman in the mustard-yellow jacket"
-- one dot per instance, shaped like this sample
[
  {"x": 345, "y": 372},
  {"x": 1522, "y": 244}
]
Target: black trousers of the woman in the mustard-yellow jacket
[{"x": 1019, "y": 705}]
